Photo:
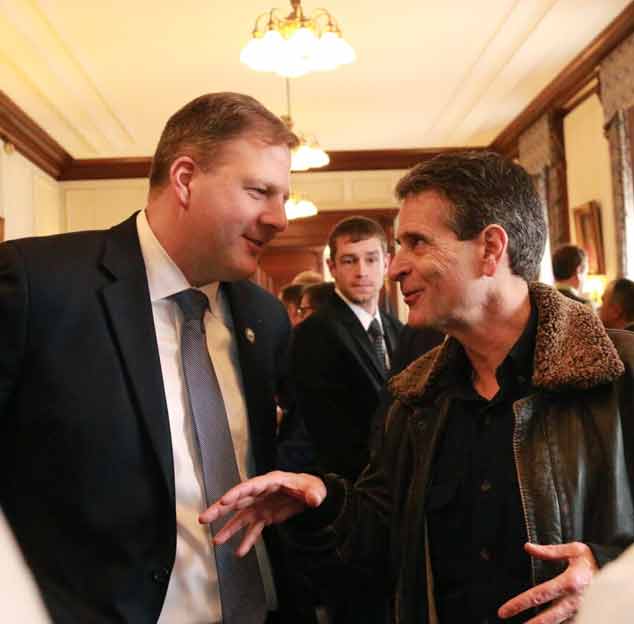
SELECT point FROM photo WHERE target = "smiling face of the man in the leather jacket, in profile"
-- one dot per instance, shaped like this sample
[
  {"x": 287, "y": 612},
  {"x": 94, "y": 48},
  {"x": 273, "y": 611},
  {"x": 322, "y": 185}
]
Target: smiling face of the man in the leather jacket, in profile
[{"x": 438, "y": 274}]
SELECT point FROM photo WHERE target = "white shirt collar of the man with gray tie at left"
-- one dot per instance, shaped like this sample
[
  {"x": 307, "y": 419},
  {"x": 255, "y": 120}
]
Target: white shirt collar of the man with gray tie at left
[{"x": 164, "y": 276}]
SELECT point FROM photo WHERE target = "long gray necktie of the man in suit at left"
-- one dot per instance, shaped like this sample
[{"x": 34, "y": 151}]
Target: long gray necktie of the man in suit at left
[{"x": 241, "y": 590}]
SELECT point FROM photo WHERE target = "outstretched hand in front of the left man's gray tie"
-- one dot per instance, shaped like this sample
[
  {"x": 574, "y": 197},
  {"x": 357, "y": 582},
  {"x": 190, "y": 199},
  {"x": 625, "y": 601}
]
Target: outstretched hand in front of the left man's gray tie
[{"x": 261, "y": 501}]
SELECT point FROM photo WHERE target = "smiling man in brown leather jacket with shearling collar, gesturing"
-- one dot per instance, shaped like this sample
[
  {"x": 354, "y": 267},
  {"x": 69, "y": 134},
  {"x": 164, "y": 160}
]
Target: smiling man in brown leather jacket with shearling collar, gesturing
[{"x": 505, "y": 477}]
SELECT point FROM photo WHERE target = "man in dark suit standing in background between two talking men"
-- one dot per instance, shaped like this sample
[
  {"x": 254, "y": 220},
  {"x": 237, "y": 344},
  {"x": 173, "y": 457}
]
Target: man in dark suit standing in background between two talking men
[{"x": 340, "y": 356}]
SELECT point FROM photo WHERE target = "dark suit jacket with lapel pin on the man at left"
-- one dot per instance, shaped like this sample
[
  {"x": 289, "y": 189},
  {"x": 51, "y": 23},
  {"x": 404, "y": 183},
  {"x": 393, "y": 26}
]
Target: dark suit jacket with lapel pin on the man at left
[{"x": 87, "y": 478}]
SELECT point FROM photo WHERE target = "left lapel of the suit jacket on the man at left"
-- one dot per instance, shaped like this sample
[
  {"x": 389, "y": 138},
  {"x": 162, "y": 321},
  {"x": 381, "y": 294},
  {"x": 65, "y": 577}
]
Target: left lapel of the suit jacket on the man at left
[{"x": 128, "y": 306}]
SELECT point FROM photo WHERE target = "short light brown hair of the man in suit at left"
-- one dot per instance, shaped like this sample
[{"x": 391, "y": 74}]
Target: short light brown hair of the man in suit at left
[{"x": 202, "y": 126}]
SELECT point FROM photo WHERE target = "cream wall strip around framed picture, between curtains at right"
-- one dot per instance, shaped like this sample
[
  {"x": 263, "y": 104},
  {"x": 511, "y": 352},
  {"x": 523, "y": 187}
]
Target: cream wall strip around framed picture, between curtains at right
[{"x": 588, "y": 171}]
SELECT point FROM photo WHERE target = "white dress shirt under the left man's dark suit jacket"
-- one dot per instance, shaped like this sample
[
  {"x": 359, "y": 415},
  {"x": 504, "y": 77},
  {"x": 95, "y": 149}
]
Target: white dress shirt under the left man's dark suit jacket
[{"x": 192, "y": 594}]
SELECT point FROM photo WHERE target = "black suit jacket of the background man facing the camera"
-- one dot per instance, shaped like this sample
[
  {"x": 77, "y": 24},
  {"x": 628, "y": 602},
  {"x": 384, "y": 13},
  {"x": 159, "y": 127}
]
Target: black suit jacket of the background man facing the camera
[{"x": 337, "y": 379}]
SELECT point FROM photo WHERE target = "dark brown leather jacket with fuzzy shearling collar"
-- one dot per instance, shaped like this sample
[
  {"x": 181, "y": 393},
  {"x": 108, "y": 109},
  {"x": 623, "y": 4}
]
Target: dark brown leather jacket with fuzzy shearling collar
[{"x": 573, "y": 442}]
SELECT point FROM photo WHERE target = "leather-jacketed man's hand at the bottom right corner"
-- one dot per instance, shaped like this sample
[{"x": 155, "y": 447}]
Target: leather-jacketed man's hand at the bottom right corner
[{"x": 564, "y": 591}]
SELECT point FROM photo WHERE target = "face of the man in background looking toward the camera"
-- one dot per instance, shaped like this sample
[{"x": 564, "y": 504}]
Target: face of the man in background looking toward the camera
[{"x": 359, "y": 269}]
